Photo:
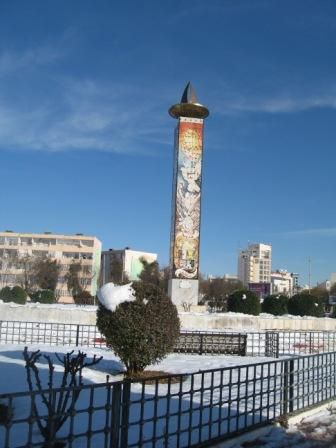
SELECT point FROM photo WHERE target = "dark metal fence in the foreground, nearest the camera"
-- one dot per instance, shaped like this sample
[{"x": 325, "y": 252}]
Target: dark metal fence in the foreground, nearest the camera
[{"x": 183, "y": 410}]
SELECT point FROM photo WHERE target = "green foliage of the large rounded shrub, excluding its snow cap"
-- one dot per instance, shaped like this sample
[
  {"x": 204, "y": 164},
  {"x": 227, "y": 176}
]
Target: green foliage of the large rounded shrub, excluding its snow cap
[{"x": 141, "y": 332}]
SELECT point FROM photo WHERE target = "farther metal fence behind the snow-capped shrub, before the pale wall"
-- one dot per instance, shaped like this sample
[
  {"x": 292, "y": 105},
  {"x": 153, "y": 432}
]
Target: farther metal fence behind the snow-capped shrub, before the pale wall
[{"x": 263, "y": 343}]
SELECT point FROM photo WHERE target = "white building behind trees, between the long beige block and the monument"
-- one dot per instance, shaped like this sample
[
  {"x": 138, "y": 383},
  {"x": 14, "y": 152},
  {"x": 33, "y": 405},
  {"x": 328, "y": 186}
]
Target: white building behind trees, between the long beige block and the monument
[{"x": 129, "y": 259}]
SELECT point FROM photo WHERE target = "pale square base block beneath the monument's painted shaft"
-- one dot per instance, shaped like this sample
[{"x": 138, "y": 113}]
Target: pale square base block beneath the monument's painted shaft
[{"x": 183, "y": 292}]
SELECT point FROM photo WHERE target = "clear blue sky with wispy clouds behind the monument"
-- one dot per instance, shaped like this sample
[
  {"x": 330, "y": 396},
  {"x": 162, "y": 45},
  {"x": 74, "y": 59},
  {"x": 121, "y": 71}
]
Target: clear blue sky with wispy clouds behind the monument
[{"x": 86, "y": 143}]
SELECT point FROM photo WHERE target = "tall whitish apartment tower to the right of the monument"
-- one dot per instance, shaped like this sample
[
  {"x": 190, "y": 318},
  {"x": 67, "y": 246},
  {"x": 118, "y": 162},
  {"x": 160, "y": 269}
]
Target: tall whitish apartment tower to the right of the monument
[{"x": 255, "y": 263}]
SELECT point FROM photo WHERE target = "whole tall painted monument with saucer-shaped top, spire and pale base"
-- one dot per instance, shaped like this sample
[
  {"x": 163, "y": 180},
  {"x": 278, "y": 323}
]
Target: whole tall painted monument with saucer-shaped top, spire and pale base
[{"x": 186, "y": 201}]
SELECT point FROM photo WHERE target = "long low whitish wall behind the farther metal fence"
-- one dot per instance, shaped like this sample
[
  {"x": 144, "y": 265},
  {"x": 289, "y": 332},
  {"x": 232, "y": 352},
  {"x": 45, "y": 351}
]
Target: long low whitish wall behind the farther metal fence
[{"x": 73, "y": 314}]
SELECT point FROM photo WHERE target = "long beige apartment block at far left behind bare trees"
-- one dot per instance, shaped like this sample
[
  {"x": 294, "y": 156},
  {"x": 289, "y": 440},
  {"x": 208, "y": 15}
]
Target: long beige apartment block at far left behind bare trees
[{"x": 66, "y": 249}]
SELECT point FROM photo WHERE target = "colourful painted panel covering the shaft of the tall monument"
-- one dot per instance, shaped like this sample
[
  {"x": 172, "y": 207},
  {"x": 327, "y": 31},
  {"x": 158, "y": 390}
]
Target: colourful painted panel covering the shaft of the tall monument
[{"x": 187, "y": 192}]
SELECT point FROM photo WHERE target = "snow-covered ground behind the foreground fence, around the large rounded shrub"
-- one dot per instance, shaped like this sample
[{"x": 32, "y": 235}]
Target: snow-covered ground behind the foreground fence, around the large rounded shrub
[{"x": 13, "y": 379}]
